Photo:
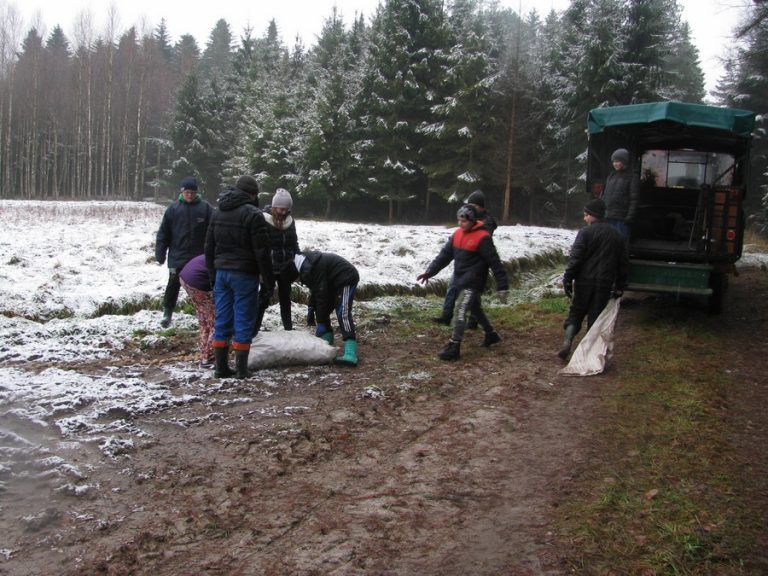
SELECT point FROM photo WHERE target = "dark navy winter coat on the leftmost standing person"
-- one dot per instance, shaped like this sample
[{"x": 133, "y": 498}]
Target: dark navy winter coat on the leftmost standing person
[{"x": 182, "y": 231}]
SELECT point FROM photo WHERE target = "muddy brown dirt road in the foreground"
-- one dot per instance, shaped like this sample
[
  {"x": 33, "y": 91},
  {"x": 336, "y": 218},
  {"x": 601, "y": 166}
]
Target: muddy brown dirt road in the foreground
[{"x": 404, "y": 465}]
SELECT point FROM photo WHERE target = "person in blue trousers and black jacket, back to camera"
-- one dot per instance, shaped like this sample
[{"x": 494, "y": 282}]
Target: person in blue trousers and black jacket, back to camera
[{"x": 237, "y": 251}]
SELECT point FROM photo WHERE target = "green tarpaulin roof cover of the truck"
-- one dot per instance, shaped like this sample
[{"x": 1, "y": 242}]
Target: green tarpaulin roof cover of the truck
[{"x": 739, "y": 122}]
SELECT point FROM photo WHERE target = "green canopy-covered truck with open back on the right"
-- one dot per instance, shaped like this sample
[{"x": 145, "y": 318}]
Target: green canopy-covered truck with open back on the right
[{"x": 692, "y": 162}]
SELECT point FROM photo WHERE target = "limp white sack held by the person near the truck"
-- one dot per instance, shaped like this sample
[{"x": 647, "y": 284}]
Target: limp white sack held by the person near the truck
[{"x": 596, "y": 348}]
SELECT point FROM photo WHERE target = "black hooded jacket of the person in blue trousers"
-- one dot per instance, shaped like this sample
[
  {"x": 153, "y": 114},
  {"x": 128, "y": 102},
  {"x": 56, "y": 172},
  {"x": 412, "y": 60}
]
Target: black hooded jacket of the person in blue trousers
[{"x": 238, "y": 239}]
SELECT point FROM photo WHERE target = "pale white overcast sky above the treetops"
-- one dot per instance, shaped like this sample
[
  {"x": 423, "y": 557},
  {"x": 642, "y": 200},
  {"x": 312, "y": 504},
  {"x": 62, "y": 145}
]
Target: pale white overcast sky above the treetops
[{"x": 711, "y": 20}]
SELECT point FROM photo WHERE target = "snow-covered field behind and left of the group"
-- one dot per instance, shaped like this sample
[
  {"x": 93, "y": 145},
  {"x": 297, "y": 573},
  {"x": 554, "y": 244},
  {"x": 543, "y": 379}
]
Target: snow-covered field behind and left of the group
[{"x": 63, "y": 263}]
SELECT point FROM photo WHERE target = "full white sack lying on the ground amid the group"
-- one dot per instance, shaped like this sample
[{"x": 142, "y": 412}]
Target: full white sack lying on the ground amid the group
[{"x": 289, "y": 347}]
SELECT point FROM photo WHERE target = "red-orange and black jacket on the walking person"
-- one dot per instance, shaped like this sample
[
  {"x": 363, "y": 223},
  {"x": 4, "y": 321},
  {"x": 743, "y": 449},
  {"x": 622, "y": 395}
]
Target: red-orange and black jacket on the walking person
[{"x": 472, "y": 252}]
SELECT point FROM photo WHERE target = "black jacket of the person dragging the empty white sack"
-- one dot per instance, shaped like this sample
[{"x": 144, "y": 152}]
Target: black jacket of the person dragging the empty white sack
[{"x": 598, "y": 258}]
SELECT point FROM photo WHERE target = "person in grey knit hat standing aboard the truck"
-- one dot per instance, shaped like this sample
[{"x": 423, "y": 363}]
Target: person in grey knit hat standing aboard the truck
[{"x": 622, "y": 189}]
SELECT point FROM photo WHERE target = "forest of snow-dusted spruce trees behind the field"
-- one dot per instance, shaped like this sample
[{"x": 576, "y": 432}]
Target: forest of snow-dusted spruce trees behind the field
[{"x": 391, "y": 117}]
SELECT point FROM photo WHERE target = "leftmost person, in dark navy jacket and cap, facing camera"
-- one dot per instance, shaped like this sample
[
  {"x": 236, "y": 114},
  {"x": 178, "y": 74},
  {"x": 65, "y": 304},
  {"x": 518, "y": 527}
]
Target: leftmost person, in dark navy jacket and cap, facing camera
[{"x": 182, "y": 237}]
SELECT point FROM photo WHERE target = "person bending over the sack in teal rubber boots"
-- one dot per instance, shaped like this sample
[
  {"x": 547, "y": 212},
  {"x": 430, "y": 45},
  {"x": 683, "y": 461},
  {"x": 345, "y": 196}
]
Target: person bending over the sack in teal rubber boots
[{"x": 332, "y": 282}]
